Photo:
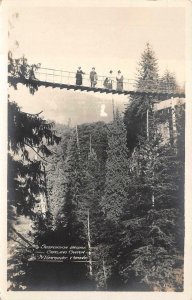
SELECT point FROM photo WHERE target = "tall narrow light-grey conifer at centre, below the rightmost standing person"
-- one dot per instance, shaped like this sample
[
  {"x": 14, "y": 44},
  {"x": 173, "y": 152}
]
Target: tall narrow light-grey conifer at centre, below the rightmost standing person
[{"x": 115, "y": 195}]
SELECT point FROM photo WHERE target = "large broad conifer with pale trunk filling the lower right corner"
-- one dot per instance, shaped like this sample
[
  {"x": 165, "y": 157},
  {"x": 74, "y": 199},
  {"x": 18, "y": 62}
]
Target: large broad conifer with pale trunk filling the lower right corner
[{"x": 150, "y": 246}]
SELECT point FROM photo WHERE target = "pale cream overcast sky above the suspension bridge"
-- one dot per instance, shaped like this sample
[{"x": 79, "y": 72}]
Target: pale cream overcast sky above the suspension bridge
[{"x": 106, "y": 38}]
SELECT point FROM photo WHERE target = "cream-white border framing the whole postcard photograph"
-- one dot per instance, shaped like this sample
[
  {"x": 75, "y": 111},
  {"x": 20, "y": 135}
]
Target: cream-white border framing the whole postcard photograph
[{"x": 187, "y": 294}]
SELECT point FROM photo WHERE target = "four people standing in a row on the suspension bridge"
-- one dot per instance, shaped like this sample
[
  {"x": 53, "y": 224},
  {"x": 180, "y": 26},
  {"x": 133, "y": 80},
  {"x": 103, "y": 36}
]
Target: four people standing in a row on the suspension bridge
[{"x": 107, "y": 83}]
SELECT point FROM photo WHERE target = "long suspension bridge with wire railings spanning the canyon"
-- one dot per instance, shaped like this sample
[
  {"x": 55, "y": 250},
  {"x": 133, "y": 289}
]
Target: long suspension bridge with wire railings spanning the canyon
[{"x": 55, "y": 78}]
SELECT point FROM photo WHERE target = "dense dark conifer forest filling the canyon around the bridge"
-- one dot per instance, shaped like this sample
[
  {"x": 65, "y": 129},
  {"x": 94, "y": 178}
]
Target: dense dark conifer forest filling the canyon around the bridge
[{"x": 110, "y": 194}]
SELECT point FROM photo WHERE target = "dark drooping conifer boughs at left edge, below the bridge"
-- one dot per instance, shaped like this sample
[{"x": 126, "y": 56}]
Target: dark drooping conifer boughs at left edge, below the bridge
[{"x": 26, "y": 135}]
